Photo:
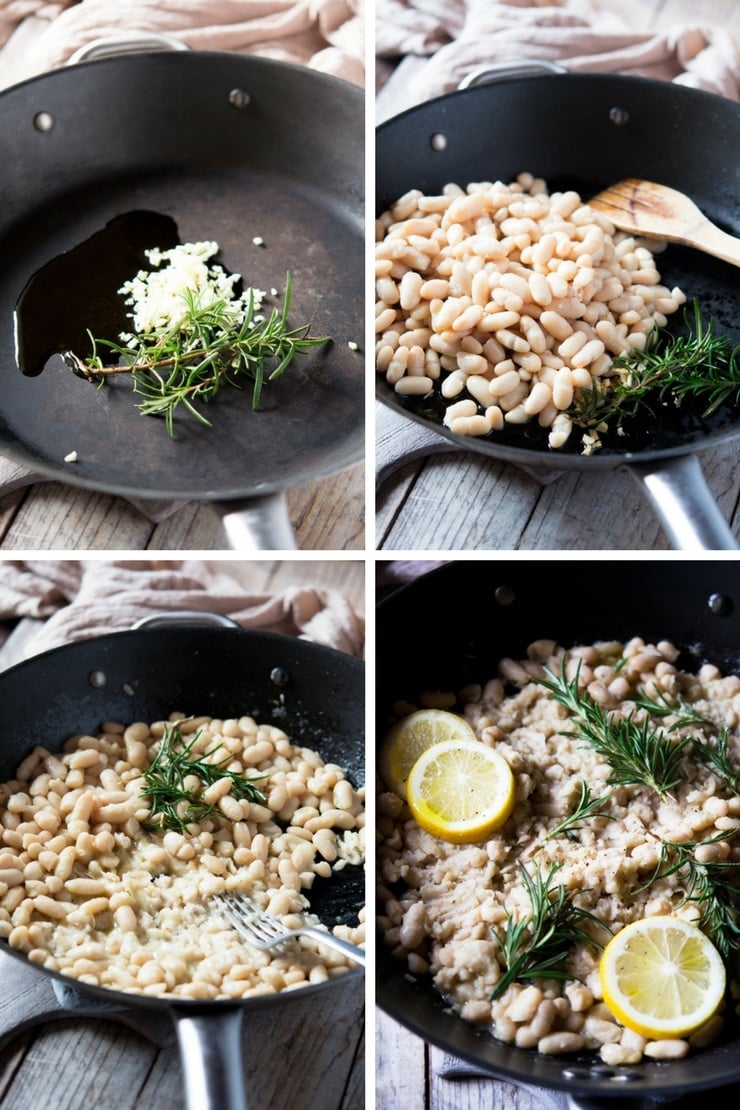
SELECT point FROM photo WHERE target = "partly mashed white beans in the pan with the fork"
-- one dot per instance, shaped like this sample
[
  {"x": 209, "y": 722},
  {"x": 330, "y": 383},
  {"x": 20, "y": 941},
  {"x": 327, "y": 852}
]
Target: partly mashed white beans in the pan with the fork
[{"x": 89, "y": 891}]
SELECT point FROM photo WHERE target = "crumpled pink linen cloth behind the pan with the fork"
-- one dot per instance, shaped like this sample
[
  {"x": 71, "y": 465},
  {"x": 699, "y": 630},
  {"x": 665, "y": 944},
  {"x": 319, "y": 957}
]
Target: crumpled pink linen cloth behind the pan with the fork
[{"x": 79, "y": 600}]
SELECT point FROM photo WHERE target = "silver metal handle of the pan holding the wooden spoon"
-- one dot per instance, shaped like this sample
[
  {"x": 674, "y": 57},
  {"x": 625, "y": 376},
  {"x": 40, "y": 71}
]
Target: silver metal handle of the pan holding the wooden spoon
[{"x": 678, "y": 492}]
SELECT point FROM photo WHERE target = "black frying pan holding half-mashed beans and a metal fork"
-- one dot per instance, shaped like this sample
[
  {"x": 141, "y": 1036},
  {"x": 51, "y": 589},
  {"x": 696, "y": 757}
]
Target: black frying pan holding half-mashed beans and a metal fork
[{"x": 316, "y": 694}]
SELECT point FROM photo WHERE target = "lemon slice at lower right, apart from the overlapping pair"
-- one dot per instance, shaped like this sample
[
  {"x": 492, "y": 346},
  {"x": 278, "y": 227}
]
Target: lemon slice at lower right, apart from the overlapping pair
[{"x": 662, "y": 977}]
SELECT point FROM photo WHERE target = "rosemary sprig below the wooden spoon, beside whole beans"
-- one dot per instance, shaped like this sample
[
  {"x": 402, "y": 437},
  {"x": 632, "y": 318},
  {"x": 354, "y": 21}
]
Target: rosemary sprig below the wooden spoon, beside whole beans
[{"x": 671, "y": 370}]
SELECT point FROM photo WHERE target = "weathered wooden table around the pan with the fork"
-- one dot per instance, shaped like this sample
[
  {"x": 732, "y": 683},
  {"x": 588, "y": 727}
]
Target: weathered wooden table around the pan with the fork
[{"x": 305, "y": 1056}]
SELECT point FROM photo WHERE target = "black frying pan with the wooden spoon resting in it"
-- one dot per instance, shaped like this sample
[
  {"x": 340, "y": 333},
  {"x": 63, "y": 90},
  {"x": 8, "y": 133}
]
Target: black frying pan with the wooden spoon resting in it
[{"x": 587, "y": 132}]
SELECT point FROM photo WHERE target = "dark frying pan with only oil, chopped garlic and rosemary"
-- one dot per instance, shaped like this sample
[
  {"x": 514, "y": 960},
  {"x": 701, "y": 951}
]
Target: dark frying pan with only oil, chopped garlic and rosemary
[{"x": 232, "y": 148}]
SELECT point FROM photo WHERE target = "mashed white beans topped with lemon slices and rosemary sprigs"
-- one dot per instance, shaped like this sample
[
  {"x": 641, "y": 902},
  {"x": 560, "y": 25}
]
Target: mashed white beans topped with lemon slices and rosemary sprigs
[{"x": 443, "y": 903}]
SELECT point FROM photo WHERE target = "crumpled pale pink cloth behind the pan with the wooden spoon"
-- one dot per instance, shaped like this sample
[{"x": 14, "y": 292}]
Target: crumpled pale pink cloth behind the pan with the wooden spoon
[{"x": 460, "y": 36}]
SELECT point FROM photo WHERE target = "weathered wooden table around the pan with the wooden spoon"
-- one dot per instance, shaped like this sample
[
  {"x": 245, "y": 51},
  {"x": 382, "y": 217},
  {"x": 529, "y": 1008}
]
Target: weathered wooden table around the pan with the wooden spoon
[{"x": 462, "y": 501}]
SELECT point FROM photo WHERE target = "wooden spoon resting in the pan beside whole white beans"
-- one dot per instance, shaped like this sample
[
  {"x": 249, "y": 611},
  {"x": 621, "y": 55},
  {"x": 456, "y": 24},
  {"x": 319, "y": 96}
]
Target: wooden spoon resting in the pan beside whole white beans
[{"x": 647, "y": 209}]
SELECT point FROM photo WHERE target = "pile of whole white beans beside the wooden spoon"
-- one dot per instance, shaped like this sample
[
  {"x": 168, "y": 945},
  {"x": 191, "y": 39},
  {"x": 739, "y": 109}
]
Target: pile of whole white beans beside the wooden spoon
[{"x": 511, "y": 300}]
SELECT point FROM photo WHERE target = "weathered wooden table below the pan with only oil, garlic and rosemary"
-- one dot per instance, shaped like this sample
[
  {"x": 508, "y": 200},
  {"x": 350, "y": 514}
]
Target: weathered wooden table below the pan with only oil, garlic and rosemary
[{"x": 327, "y": 516}]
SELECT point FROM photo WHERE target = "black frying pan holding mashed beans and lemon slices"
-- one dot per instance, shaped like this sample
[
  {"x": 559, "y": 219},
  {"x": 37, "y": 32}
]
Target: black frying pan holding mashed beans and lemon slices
[{"x": 450, "y": 629}]
